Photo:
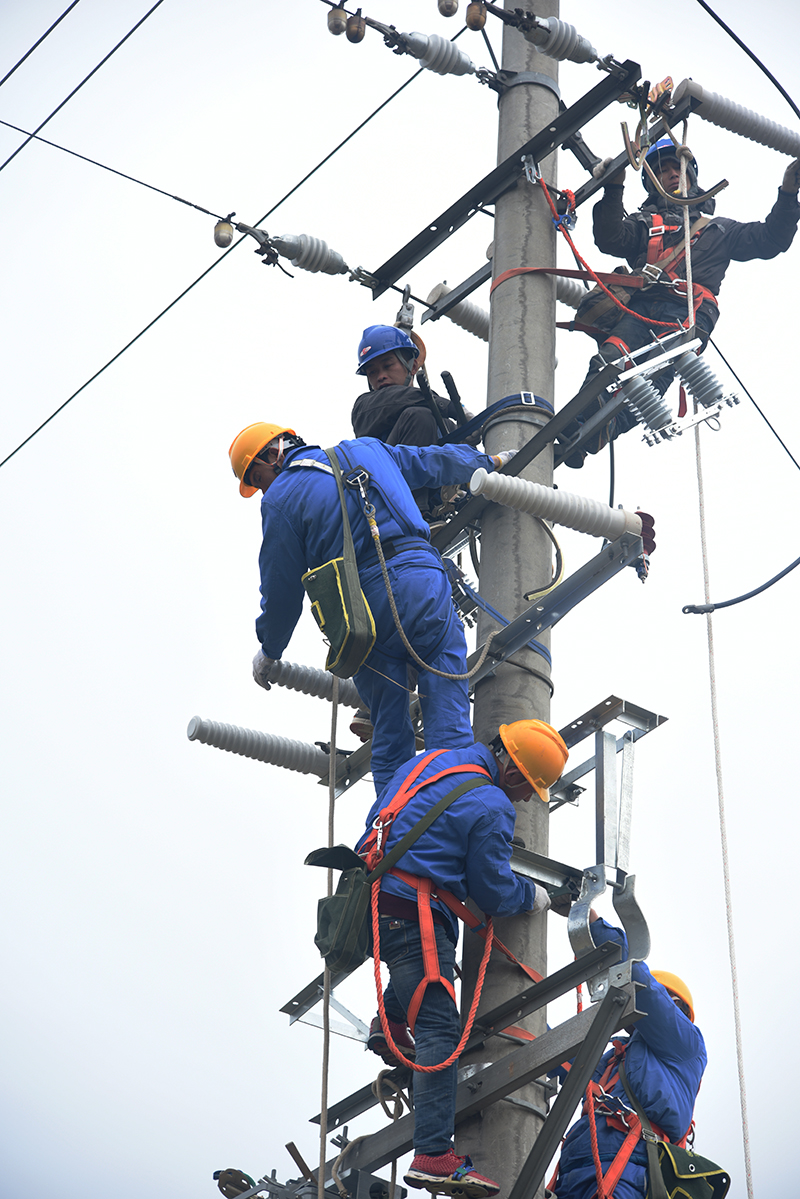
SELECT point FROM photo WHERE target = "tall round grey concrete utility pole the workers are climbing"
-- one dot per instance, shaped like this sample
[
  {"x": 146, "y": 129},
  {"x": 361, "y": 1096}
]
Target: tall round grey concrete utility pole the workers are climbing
[{"x": 516, "y": 556}]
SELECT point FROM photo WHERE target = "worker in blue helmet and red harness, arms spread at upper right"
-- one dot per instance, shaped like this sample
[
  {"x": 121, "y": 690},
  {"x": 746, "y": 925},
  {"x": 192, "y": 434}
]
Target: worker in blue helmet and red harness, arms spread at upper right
[{"x": 653, "y": 239}]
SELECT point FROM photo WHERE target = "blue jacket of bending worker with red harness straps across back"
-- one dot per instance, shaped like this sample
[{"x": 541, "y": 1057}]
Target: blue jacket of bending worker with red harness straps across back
[{"x": 467, "y": 849}]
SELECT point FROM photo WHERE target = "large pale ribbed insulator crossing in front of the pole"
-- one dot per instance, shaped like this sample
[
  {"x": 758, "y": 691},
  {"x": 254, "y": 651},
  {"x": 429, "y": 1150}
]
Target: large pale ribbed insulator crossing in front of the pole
[{"x": 573, "y": 511}]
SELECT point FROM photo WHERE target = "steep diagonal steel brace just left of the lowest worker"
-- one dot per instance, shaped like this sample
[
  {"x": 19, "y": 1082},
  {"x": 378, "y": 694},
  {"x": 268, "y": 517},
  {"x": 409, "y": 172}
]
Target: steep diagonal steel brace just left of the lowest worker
[{"x": 572, "y": 1094}]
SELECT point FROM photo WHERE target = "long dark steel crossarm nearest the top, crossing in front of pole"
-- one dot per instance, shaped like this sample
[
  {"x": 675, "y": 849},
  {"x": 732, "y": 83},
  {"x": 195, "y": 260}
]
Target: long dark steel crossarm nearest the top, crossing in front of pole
[{"x": 506, "y": 176}]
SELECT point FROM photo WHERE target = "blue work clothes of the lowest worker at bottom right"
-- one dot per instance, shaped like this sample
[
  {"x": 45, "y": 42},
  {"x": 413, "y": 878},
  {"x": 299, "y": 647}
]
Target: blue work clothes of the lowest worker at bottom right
[{"x": 664, "y": 1063}]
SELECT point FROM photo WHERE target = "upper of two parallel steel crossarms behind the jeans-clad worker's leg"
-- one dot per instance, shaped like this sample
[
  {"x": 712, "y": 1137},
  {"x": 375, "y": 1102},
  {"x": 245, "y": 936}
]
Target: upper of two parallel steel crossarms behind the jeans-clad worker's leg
[{"x": 598, "y": 961}]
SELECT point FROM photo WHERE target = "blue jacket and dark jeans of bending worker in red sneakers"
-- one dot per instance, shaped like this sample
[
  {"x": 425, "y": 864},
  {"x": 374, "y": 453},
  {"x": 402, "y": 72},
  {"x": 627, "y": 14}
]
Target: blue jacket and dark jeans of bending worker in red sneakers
[{"x": 467, "y": 852}]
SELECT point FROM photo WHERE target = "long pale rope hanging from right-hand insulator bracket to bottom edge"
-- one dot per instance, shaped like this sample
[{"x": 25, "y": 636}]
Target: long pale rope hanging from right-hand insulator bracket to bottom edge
[{"x": 724, "y": 834}]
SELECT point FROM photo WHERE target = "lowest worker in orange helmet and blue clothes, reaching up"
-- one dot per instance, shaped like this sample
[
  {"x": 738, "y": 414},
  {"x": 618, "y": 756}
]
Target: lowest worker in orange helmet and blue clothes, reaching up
[{"x": 664, "y": 1062}]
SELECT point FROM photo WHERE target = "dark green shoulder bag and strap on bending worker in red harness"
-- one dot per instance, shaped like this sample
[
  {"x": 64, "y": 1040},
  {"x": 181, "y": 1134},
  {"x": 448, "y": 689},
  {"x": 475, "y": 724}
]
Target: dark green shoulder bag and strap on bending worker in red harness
[{"x": 344, "y": 921}]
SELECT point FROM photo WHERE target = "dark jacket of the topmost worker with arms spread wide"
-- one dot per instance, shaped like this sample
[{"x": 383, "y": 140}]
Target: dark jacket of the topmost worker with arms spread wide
[{"x": 721, "y": 243}]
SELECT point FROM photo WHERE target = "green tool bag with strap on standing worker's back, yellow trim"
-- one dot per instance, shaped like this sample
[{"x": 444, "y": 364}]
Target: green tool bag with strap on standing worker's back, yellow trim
[{"x": 338, "y": 602}]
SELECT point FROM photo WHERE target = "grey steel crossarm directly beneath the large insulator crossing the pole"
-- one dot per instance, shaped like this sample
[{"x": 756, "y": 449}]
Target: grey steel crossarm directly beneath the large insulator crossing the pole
[{"x": 555, "y": 606}]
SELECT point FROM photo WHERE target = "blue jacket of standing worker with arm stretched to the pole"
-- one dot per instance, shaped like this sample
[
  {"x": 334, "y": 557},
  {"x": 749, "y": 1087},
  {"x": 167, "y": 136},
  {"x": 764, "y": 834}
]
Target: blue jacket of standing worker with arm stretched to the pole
[{"x": 302, "y": 517}]
